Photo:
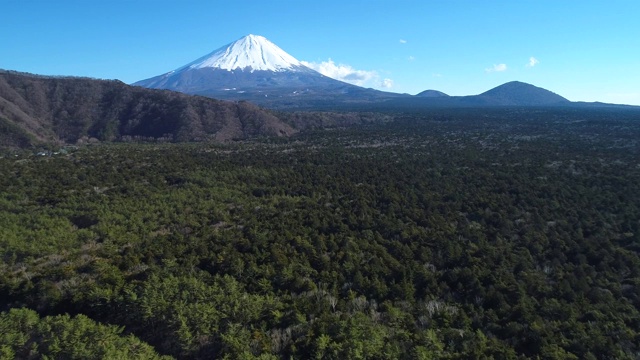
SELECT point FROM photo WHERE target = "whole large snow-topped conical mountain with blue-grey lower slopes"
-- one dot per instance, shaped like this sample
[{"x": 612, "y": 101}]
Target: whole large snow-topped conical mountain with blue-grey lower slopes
[{"x": 255, "y": 69}]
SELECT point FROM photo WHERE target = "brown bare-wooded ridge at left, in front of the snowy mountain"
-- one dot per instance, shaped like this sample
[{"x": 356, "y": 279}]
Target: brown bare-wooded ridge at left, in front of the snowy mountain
[{"x": 37, "y": 109}]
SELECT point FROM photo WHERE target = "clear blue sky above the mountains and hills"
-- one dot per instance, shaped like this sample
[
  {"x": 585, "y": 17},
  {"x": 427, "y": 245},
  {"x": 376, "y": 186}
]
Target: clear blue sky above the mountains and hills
[{"x": 582, "y": 50}]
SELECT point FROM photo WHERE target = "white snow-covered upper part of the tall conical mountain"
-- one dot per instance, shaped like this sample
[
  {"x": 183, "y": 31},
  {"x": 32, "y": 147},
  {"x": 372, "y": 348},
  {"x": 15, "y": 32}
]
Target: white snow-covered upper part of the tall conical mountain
[{"x": 251, "y": 52}]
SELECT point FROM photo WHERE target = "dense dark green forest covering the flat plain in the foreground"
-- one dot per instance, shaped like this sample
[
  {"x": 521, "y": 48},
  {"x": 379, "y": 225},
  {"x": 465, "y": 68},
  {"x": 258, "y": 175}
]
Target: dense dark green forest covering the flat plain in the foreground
[{"x": 494, "y": 234}]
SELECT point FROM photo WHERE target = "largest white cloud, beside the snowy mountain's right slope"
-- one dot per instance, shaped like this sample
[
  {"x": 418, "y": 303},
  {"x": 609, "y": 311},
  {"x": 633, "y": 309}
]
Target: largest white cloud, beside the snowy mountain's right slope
[{"x": 347, "y": 73}]
